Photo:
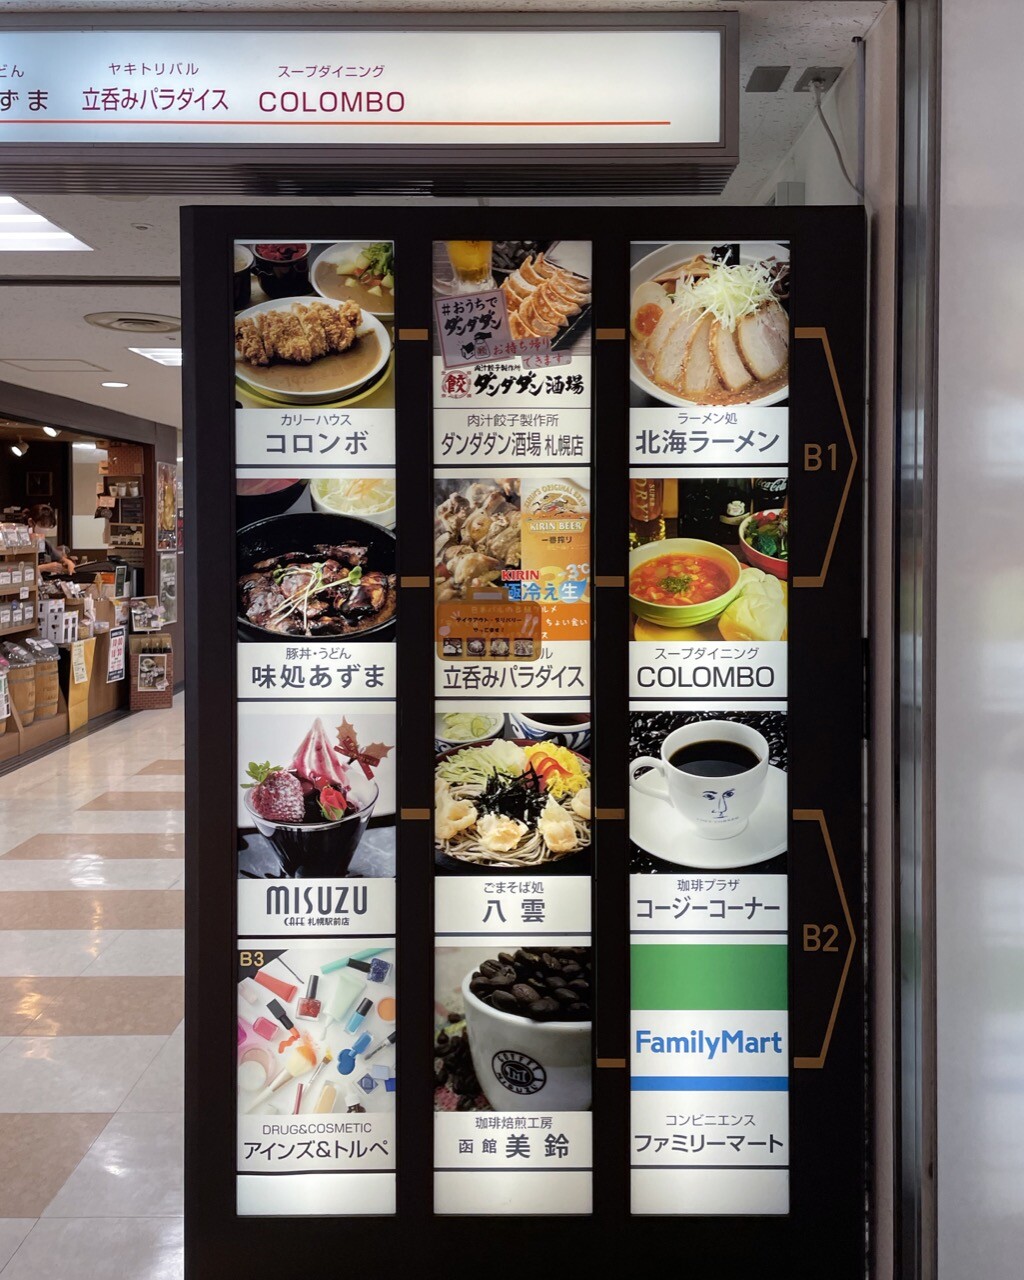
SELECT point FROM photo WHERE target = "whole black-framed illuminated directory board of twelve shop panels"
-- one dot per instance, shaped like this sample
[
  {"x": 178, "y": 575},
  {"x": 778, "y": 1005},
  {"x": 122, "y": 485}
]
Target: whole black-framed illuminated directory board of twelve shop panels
[{"x": 525, "y": 761}]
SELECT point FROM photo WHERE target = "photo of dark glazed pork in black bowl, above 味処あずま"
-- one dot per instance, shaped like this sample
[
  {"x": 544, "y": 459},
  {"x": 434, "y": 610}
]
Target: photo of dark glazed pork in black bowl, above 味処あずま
[{"x": 317, "y": 556}]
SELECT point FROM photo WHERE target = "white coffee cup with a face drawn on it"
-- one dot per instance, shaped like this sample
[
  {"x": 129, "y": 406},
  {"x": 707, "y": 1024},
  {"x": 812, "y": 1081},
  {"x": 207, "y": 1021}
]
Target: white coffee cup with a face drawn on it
[{"x": 717, "y": 808}]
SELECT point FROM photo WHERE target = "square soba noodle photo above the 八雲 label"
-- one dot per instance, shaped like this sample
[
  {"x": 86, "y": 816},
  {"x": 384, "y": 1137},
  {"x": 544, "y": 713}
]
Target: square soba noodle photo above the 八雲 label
[{"x": 513, "y": 792}]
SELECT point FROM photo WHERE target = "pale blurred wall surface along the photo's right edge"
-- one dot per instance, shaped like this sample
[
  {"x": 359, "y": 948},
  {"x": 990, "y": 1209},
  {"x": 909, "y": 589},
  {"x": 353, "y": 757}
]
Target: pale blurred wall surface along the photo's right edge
[{"x": 980, "y": 715}]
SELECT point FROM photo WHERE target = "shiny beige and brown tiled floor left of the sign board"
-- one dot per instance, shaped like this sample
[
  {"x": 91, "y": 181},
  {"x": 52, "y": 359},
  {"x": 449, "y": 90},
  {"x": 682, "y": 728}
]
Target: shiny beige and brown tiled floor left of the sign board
[{"x": 92, "y": 1008}]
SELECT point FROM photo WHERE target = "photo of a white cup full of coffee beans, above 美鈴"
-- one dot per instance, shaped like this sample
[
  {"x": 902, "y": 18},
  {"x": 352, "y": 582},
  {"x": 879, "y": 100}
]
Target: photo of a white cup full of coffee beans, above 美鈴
[{"x": 513, "y": 1027}]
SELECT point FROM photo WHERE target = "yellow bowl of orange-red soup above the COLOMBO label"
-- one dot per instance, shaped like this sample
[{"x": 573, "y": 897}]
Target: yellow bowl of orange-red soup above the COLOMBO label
[{"x": 659, "y": 564}]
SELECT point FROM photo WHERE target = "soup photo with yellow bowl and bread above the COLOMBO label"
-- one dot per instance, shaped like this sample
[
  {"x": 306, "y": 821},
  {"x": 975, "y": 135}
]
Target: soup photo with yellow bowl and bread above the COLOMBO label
[{"x": 708, "y": 559}]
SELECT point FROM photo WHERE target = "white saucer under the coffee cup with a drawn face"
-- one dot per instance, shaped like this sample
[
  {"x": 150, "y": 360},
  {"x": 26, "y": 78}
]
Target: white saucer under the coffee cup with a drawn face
[{"x": 659, "y": 829}]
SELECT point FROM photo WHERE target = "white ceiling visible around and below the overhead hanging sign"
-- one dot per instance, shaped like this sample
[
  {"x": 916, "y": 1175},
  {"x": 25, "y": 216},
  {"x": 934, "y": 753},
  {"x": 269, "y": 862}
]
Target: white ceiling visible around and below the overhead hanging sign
[{"x": 135, "y": 241}]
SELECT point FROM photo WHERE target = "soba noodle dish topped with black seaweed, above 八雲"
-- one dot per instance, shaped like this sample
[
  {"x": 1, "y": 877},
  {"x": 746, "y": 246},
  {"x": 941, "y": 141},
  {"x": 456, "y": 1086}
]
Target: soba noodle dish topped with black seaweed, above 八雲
[{"x": 515, "y": 804}]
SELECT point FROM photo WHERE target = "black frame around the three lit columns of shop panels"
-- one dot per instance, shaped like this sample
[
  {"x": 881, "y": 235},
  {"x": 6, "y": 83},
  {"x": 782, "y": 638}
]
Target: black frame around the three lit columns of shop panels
[{"x": 826, "y": 1231}]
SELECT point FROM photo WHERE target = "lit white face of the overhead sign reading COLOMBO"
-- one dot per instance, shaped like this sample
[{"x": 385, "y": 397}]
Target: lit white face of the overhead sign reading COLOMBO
[{"x": 382, "y": 88}]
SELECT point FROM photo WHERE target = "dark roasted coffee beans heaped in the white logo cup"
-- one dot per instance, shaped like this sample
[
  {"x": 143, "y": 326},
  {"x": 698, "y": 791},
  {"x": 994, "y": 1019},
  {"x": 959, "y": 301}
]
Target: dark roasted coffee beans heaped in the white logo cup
[{"x": 551, "y": 985}]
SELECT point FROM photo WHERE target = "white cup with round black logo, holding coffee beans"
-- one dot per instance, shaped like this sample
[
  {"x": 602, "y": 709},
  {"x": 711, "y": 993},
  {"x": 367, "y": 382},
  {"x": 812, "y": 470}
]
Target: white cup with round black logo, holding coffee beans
[{"x": 524, "y": 1066}]
